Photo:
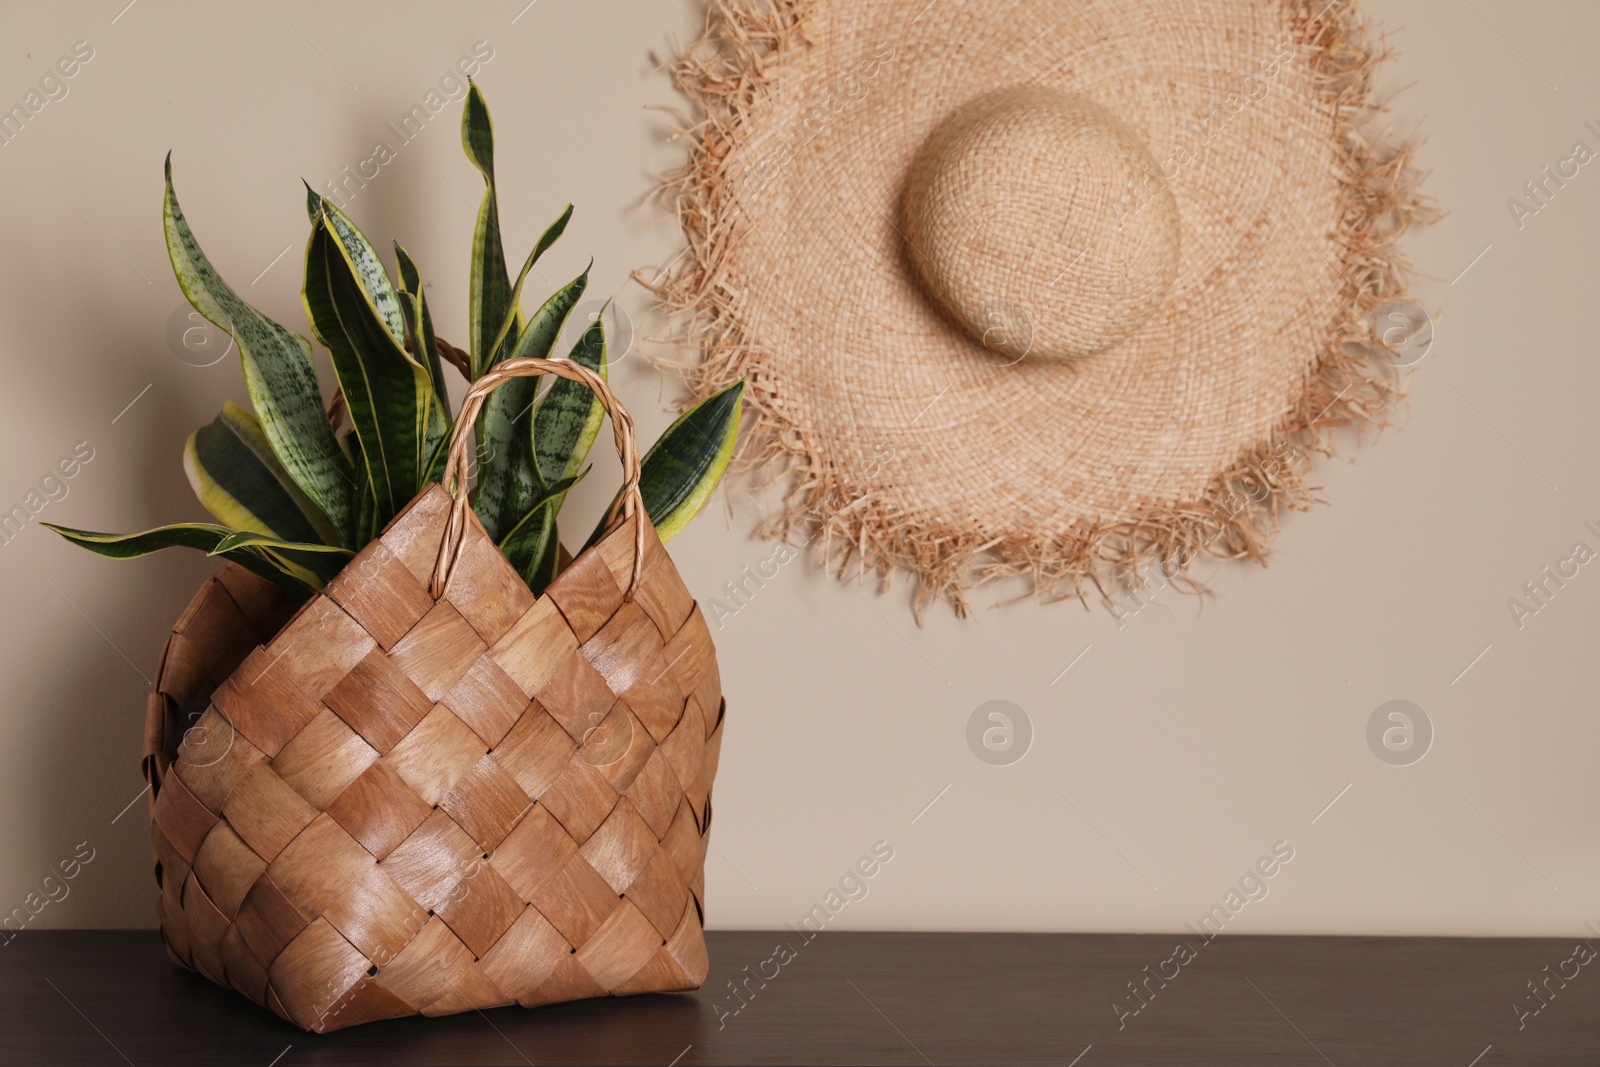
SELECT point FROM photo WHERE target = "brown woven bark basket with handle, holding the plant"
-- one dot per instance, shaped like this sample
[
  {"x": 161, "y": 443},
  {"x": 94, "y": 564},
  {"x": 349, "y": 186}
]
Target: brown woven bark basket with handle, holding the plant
[{"x": 428, "y": 791}]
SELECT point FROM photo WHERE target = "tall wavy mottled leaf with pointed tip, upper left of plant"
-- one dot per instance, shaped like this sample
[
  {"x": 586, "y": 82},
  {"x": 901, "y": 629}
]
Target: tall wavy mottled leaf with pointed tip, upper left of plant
[{"x": 278, "y": 375}]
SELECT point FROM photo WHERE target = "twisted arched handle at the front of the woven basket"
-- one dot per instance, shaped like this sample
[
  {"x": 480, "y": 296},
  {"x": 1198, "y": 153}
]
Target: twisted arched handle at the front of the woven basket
[{"x": 628, "y": 506}]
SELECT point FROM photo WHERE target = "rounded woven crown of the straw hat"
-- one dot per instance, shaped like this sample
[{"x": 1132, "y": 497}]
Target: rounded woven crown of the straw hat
[{"x": 1042, "y": 223}]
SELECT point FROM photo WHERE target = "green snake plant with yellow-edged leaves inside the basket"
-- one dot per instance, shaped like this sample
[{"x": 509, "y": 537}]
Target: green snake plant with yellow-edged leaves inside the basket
[{"x": 298, "y": 486}]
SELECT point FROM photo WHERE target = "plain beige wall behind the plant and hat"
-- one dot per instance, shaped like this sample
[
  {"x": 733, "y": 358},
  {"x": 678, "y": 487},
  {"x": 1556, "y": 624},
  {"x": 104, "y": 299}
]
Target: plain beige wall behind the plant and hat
[{"x": 1174, "y": 754}]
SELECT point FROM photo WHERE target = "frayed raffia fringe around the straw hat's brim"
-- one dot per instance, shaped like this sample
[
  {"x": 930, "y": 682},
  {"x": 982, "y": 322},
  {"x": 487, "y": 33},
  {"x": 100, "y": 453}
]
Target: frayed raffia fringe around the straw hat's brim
[{"x": 854, "y": 532}]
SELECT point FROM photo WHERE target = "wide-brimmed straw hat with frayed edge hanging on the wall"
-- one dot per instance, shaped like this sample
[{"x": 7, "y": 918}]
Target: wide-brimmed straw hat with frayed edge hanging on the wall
[{"x": 1046, "y": 289}]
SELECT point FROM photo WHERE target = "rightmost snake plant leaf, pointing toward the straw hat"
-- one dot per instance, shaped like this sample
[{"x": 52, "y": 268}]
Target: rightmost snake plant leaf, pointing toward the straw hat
[{"x": 682, "y": 470}]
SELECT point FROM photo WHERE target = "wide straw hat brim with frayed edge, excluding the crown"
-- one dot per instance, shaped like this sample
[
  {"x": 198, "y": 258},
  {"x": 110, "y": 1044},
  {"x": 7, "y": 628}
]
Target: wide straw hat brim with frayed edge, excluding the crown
[{"x": 812, "y": 106}]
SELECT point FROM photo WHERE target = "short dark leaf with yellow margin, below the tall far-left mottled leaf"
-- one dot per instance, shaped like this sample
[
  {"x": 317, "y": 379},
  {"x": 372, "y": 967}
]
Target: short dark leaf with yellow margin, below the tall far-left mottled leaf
[{"x": 241, "y": 482}]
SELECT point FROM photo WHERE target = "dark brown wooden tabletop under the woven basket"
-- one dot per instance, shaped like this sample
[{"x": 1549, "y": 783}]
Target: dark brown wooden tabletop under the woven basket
[{"x": 111, "y": 997}]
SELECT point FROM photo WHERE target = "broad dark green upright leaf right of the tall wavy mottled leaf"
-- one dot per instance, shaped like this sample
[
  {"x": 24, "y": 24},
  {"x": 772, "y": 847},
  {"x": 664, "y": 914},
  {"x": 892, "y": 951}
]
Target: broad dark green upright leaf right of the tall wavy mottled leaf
[{"x": 388, "y": 393}]
